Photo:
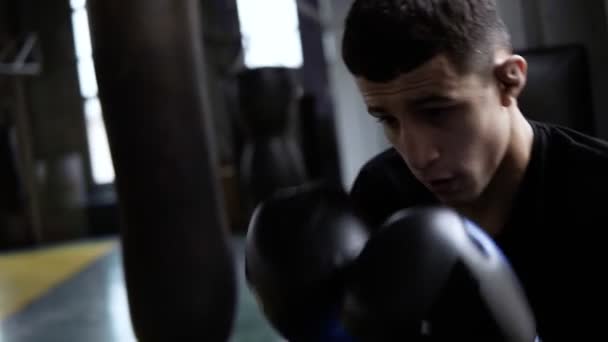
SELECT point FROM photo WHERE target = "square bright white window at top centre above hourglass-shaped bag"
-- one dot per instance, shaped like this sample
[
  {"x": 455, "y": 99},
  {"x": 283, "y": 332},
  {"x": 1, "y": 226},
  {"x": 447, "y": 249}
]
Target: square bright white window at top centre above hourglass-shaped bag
[{"x": 270, "y": 31}]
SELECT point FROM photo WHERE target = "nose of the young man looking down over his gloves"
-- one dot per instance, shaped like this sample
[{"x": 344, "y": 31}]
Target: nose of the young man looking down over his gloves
[{"x": 419, "y": 148}]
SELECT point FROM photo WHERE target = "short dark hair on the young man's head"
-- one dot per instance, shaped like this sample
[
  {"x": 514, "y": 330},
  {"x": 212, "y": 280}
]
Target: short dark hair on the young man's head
[{"x": 384, "y": 38}]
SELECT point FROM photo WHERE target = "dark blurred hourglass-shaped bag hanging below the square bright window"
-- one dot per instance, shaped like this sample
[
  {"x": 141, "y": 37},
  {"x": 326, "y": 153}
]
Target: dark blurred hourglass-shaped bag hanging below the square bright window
[{"x": 271, "y": 158}]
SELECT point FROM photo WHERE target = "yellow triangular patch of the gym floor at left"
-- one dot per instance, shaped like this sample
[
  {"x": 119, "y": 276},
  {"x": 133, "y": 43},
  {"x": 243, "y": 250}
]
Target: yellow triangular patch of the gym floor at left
[{"x": 27, "y": 275}]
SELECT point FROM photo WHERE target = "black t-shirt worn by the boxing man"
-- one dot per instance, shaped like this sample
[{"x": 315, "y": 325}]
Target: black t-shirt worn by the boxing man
[{"x": 554, "y": 237}]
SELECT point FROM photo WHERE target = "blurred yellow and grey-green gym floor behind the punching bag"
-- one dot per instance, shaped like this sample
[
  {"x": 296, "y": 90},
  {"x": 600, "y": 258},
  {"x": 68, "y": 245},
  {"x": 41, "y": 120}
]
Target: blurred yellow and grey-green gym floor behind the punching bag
[{"x": 75, "y": 292}]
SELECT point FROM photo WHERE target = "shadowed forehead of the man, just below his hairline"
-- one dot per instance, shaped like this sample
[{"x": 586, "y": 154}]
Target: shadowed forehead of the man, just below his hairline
[{"x": 435, "y": 74}]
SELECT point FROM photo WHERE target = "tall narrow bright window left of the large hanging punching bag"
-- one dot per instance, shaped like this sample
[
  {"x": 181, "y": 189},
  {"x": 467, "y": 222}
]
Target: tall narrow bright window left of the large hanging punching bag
[{"x": 99, "y": 151}]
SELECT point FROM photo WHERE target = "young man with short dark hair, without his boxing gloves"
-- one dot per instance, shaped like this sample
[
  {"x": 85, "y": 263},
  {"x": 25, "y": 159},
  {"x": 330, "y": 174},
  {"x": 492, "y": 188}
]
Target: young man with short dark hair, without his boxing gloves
[{"x": 441, "y": 77}]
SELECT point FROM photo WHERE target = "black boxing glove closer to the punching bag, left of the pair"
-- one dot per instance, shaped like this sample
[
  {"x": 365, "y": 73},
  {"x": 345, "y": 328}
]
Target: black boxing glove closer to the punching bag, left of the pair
[{"x": 299, "y": 246}]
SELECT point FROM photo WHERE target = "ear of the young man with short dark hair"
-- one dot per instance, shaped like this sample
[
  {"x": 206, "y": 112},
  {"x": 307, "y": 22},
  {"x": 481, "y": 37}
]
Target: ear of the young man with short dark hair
[{"x": 511, "y": 74}]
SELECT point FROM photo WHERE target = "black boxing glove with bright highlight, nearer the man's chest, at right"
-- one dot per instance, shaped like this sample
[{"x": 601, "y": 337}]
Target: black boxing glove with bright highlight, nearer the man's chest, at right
[{"x": 429, "y": 274}]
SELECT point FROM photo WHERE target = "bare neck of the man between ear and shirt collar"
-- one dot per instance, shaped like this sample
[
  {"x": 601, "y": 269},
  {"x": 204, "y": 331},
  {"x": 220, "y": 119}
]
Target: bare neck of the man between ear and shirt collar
[{"x": 492, "y": 209}]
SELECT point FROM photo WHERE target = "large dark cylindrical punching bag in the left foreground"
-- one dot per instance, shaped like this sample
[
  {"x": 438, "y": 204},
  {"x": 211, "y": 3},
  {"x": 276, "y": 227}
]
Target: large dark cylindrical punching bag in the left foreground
[{"x": 179, "y": 271}]
